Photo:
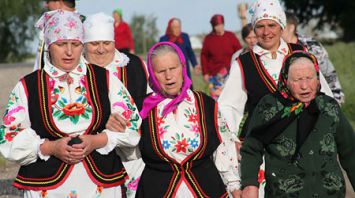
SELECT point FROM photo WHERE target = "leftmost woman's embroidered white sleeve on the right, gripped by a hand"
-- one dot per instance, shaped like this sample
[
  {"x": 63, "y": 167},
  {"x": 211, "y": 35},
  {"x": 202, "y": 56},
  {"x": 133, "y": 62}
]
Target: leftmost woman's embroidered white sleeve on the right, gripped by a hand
[{"x": 123, "y": 104}]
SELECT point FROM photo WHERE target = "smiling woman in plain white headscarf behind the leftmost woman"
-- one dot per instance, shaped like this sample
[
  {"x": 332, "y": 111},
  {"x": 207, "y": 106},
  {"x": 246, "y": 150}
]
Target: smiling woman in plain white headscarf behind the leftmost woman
[{"x": 99, "y": 49}]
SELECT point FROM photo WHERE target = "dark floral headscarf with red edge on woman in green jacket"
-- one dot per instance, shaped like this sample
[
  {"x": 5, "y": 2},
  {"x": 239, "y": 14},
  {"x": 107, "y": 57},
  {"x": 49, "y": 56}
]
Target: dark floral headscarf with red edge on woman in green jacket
[{"x": 288, "y": 61}]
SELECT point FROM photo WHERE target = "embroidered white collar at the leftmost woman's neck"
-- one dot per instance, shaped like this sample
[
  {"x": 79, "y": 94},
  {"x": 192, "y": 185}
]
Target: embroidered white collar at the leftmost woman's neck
[{"x": 55, "y": 72}]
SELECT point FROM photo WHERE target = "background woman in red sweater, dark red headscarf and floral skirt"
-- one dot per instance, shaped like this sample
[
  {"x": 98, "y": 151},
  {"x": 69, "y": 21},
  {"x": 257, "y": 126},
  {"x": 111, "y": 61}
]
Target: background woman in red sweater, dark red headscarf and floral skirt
[{"x": 217, "y": 50}]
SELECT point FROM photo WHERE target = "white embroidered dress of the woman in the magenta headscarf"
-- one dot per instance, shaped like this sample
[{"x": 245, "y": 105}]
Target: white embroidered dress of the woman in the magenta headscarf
[{"x": 179, "y": 136}]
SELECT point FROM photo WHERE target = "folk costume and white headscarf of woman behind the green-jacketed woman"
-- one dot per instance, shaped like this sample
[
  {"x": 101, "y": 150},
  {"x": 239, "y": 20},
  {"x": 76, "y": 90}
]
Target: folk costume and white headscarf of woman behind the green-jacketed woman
[{"x": 255, "y": 74}]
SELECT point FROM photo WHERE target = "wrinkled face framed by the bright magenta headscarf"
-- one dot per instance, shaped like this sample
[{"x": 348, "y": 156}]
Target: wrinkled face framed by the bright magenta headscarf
[{"x": 168, "y": 71}]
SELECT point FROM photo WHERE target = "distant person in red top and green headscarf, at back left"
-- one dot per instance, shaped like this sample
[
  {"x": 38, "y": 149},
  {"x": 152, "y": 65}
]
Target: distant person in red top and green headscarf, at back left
[{"x": 123, "y": 36}]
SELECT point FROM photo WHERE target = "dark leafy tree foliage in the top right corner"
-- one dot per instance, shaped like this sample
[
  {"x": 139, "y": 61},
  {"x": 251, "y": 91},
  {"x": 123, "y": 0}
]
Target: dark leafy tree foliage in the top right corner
[{"x": 335, "y": 13}]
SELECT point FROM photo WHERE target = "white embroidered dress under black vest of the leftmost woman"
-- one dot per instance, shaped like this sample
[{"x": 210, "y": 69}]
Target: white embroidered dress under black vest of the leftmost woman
[{"x": 20, "y": 143}]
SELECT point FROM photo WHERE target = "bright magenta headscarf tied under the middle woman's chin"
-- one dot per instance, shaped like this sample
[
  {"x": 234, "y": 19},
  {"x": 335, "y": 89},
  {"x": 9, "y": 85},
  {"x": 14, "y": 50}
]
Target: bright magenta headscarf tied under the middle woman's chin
[{"x": 154, "y": 99}]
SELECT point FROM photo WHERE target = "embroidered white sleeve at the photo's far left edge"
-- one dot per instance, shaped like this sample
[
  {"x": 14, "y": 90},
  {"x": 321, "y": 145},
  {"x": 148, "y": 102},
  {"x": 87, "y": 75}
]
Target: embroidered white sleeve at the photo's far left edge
[{"x": 18, "y": 142}]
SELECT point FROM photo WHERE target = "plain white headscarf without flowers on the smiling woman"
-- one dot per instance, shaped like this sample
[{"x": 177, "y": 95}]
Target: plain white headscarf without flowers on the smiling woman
[{"x": 99, "y": 27}]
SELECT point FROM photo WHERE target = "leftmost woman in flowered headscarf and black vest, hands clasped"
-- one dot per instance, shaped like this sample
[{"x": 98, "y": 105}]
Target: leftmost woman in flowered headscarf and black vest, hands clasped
[{"x": 54, "y": 125}]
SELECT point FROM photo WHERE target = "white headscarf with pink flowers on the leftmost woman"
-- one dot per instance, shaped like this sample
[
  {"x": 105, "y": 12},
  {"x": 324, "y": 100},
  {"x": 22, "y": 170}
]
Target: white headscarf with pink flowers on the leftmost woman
[{"x": 60, "y": 25}]
